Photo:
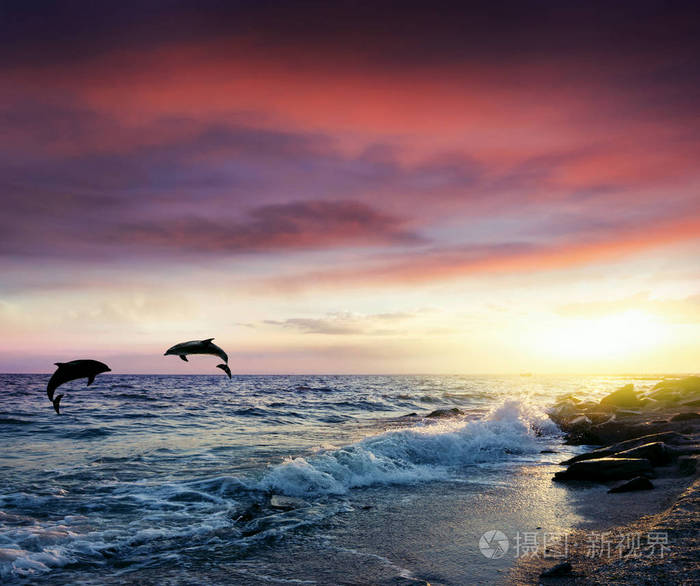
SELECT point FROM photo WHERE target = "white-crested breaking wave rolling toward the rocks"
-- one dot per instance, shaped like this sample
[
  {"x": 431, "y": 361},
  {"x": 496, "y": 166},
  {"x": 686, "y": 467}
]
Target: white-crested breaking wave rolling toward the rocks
[{"x": 416, "y": 454}]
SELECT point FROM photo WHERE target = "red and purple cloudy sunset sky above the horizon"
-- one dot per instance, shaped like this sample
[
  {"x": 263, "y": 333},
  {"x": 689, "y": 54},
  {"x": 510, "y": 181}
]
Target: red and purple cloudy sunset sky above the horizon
[{"x": 351, "y": 187}]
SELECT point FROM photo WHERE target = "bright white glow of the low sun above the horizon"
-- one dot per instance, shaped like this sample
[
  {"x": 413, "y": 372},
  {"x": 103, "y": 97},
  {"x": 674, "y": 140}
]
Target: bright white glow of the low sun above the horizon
[{"x": 608, "y": 336}]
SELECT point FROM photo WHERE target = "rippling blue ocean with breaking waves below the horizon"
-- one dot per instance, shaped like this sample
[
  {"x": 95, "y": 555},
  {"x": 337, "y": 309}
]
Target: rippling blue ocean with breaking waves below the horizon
[{"x": 156, "y": 479}]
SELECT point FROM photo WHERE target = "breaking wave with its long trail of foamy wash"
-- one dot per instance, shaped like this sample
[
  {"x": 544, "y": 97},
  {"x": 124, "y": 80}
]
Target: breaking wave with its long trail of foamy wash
[{"x": 200, "y": 510}]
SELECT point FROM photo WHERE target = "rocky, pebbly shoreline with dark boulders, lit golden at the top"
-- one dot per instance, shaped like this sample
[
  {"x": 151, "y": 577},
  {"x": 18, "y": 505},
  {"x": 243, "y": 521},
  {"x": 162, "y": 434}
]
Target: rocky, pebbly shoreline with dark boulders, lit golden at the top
[{"x": 647, "y": 441}]
